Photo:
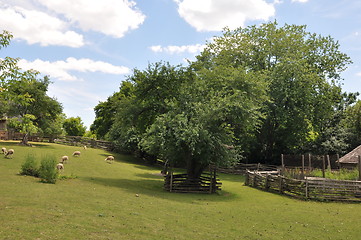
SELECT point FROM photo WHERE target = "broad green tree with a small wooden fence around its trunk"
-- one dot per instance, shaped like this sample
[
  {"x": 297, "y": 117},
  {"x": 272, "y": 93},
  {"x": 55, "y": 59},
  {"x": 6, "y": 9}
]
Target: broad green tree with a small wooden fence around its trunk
[{"x": 192, "y": 119}]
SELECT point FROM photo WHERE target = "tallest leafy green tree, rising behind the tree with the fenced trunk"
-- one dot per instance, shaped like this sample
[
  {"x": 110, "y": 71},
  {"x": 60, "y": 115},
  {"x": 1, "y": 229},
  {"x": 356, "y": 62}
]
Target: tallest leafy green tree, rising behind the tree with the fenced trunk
[{"x": 302, "y": 70}]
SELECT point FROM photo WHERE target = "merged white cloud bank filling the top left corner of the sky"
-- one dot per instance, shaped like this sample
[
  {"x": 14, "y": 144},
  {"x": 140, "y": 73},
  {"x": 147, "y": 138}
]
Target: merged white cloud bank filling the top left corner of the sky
[{"x": 54, "y": 22}]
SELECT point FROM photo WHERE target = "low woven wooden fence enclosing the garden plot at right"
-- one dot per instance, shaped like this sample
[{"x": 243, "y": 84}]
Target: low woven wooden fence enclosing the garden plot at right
[{"x": 309, "y": 188}]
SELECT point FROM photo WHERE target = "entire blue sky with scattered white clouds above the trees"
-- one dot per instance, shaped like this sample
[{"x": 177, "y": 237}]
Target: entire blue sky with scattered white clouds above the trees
[{"x": 88, "y": 47}]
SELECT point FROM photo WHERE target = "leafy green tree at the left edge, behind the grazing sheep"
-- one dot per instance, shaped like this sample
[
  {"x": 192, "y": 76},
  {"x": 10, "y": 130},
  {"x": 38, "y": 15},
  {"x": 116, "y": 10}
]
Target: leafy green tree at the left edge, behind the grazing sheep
[{"x": 24, "y": 96}]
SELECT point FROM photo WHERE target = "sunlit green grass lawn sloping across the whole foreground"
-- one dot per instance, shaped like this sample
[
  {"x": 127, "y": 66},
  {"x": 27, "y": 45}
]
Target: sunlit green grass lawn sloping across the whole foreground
[{"x": 102, "y": 203}]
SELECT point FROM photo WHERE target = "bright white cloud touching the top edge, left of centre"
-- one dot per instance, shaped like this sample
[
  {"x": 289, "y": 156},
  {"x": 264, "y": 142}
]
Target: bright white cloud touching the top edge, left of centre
[{"x": 110, "y": 17}]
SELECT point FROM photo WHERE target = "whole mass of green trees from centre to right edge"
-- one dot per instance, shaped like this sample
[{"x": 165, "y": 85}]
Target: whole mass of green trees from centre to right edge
[{"x": 252, "y": 94}]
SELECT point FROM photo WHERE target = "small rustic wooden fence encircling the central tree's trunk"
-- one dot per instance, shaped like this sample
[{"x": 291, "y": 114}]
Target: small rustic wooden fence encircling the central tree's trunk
[{"x": 207, "y": 183}]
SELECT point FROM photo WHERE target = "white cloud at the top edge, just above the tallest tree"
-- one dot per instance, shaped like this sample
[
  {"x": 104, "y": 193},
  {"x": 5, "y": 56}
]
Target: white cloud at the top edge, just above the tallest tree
[{"x": 214, "y": 15}]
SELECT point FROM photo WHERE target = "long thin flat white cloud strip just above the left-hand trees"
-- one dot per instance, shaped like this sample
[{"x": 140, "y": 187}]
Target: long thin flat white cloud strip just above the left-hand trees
[{"x": 61, "y": 69}]
